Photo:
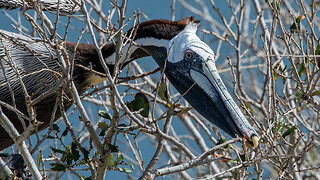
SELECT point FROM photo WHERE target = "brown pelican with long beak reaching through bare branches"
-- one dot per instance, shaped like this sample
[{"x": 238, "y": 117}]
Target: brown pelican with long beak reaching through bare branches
[{"x": 187, "y": 61}]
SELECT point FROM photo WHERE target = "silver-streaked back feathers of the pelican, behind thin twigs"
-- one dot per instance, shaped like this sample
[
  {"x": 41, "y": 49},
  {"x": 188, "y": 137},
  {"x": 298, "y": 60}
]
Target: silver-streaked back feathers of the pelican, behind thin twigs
[{"x": 29, "y": 60}]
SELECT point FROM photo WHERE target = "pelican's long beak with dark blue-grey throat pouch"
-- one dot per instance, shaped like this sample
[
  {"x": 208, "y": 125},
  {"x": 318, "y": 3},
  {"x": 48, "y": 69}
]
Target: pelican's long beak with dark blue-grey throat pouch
[{"x": 198, "y": 80}]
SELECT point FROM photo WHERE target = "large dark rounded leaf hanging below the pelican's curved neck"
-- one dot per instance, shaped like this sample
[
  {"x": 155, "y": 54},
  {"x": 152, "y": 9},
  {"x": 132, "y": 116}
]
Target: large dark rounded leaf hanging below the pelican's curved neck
[{"x": 140, "y": 103}]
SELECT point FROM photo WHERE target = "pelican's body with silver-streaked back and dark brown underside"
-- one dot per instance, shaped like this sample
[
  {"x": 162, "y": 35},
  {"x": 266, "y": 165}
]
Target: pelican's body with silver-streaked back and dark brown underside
[{"x": 30, "y": 63}]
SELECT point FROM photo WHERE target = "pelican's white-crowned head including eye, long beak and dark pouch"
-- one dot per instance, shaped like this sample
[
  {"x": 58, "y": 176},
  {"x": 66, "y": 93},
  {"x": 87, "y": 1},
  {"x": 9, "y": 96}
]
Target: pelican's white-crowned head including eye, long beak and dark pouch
[{"x": 190, "y": 66}]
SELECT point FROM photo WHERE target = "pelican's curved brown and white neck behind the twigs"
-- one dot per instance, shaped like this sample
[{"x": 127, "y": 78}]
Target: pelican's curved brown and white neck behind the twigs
[{"x": 150, "y": 36}]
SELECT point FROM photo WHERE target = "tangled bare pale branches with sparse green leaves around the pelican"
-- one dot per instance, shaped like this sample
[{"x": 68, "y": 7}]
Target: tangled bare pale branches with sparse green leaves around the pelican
[{"x": 268, "y": 53}]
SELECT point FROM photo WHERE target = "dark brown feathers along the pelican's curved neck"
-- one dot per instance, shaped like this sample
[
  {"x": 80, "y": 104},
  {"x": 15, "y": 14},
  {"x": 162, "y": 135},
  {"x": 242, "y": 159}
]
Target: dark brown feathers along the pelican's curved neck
[{"x": 158, "y": 29}]
